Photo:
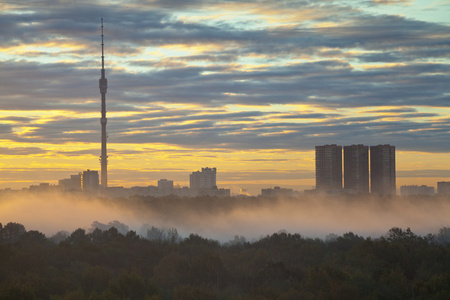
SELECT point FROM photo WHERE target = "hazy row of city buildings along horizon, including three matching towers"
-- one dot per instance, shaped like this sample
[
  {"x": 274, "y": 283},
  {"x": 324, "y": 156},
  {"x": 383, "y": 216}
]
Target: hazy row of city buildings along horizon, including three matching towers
[{"x": 335, "y": 174}]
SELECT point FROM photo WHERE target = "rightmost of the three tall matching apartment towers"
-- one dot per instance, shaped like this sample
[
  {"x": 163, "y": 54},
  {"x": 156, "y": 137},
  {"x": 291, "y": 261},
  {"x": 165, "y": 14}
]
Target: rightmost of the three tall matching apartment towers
[{"x": 382, "y": 170}]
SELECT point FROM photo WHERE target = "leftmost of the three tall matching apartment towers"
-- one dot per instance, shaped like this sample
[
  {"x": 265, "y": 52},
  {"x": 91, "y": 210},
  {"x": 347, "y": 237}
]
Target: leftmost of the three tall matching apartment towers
[{"x": 329, "y": 167}]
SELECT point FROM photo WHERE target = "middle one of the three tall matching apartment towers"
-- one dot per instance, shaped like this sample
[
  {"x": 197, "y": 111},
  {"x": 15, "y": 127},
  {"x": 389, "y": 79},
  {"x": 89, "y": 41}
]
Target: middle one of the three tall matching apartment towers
[{"x": 356, "y": 168}]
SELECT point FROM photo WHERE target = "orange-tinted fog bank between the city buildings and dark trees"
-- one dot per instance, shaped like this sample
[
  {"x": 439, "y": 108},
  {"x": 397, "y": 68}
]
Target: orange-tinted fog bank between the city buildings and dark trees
[{"x": 222, "y": 219}]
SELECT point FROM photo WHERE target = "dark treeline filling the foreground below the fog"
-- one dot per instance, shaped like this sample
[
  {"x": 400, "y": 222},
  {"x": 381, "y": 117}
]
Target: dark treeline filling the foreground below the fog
[{"x": 105, "y": 264}]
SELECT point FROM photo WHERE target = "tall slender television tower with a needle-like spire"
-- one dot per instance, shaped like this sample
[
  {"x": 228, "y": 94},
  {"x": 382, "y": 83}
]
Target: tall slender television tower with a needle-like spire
[{"x": 103, "y": 85}]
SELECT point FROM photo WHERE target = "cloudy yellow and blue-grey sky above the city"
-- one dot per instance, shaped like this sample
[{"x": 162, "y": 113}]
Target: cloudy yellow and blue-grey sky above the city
[{"x": 248, "y": 87}]
